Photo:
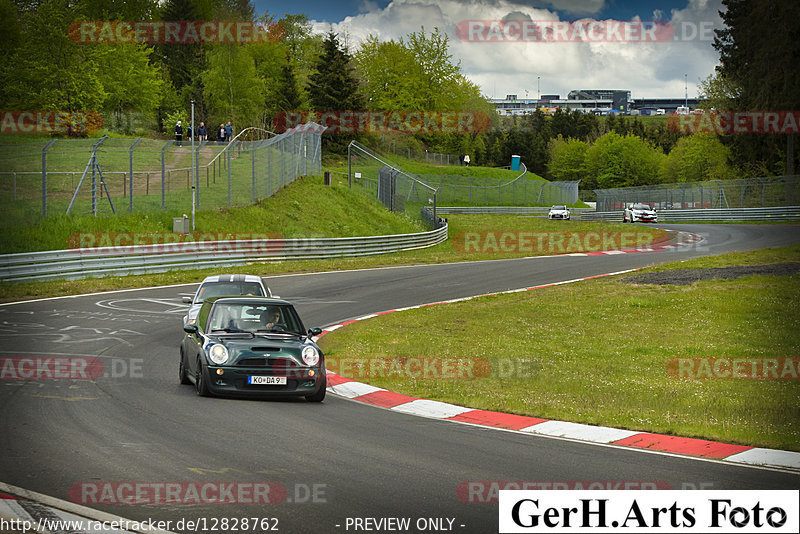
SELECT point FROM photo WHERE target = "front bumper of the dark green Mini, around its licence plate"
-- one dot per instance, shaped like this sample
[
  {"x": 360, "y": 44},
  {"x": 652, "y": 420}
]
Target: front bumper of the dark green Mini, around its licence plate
[{"x": 233, "y": 382}]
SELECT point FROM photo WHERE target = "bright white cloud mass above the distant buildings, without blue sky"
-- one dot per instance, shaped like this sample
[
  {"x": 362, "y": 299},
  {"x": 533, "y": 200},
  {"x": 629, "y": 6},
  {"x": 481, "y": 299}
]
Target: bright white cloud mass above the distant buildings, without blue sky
[{"x": 647, "y": 69}]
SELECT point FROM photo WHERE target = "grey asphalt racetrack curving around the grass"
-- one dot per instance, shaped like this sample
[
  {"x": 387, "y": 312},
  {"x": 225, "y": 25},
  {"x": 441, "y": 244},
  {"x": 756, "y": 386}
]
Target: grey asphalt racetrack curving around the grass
[{"x": 75, "y": 439}]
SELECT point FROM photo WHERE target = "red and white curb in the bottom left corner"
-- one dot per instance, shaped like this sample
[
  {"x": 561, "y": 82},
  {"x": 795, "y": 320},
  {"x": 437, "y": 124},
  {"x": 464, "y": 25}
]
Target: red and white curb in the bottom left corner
[{"x": 26, "y": 511}]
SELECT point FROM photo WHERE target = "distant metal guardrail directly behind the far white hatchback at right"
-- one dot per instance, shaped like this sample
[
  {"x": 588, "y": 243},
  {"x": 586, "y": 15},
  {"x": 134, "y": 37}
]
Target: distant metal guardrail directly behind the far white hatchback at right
[{"x": 790, "y": 213}]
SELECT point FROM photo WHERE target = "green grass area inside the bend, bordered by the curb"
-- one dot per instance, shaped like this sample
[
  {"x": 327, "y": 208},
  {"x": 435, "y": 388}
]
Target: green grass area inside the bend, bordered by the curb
[{"x": 595, "y": 352}]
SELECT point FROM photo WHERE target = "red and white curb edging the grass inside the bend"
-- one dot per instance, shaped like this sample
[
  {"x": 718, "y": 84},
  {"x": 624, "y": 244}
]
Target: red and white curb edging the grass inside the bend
[{"x": 699, "y": 448}]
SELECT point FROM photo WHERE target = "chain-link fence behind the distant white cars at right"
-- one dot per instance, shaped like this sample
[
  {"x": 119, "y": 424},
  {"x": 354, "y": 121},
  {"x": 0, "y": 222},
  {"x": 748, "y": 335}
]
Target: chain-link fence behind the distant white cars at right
[{"x": 762, "y": 192}]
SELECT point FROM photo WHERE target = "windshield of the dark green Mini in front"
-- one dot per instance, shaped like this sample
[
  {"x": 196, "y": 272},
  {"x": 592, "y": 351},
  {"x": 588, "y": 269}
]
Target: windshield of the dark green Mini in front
[{"x": 253, "y": 318}]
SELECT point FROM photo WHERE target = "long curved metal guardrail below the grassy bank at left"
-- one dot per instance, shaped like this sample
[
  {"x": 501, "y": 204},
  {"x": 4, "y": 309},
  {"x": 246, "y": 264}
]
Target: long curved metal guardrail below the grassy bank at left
[{"x": 79, "y": 263}]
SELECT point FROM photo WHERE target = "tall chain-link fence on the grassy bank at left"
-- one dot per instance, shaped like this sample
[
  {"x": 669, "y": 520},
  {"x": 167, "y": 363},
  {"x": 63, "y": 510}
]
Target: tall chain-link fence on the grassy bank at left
[{"x": 141, "y": 175}]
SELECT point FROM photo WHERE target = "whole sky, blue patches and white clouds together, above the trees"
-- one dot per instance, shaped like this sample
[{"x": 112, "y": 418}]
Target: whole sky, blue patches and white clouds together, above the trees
[{"x": 647, "y": 69}]
